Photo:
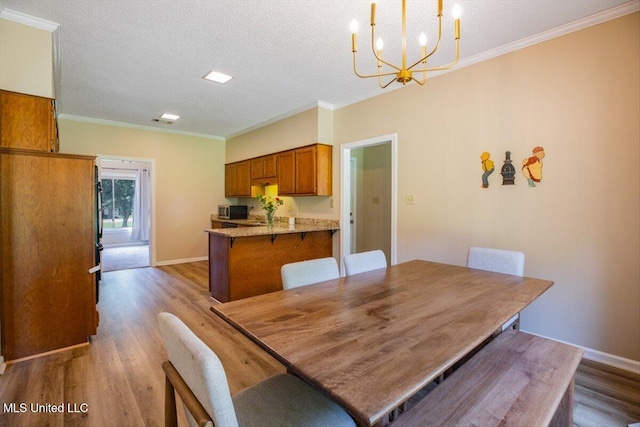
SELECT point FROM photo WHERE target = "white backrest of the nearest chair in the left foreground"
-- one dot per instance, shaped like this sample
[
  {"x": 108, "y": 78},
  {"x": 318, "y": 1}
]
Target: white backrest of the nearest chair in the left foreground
[{"x": 200, "y": 368}]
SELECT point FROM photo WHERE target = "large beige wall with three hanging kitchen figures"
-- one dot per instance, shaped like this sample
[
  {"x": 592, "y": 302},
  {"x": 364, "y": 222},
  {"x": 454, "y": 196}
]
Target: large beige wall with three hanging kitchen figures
[{"x": 578, "y": 97}]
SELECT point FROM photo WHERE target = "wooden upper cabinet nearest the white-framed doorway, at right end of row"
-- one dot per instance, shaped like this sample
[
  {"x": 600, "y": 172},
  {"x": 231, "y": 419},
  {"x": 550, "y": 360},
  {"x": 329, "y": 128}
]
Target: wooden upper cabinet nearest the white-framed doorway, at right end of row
[{"x": 305, "y": 171}]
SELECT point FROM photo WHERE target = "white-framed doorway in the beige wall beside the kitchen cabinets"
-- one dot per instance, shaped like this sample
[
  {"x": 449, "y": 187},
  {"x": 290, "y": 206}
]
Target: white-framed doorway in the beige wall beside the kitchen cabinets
[{"x": 369, "y": 211}]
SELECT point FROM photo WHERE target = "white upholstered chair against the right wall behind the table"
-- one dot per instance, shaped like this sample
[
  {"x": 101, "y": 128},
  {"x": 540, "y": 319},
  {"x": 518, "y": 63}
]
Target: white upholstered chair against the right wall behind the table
[{"x": 500, "y": 261}]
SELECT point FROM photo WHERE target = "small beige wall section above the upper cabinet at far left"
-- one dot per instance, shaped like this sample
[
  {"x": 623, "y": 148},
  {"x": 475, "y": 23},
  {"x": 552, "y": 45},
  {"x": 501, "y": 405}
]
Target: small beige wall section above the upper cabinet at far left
[{"x": 26, "y": 59}]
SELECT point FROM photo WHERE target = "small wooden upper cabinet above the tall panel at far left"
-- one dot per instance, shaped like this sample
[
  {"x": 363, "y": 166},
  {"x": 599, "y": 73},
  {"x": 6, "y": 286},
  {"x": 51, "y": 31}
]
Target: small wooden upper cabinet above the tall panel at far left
[{"x": 27, "y": 122}]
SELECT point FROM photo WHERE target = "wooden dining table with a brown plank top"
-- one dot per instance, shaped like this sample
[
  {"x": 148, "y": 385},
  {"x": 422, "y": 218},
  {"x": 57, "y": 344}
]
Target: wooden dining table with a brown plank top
[{"x": 373, "y": 340}]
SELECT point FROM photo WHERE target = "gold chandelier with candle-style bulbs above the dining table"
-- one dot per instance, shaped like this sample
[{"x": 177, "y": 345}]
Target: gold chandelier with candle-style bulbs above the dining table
[{"x": 404, "y": 74}]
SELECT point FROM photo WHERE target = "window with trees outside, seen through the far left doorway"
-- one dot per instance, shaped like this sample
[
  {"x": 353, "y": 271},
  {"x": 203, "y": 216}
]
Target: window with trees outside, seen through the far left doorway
[{"x": 117, "y": 203}]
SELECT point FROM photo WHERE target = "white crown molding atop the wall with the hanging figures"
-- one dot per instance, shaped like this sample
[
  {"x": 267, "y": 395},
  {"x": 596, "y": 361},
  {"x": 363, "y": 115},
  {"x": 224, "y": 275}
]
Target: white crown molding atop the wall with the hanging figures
[{"x": 579, "y": 24}]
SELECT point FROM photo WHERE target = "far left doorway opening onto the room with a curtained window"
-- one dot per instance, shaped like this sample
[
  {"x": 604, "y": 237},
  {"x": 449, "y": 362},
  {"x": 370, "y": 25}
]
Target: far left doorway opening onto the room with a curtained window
[{"x": 125, "y": 213}]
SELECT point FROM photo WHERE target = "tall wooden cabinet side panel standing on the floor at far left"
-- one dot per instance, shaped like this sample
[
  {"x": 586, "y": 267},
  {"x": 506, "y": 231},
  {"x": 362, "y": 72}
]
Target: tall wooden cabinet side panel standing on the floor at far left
[{"x": 47, "y": 244}]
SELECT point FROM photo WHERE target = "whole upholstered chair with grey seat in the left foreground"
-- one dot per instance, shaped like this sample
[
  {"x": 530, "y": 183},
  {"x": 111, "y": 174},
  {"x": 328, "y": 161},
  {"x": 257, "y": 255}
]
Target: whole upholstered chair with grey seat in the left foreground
[{"x": 196, "y": 373}]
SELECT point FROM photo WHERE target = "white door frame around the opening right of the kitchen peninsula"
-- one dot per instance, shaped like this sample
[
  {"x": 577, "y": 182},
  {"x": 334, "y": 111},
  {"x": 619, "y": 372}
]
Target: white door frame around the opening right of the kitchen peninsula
[{"x": 345, "y": 185}]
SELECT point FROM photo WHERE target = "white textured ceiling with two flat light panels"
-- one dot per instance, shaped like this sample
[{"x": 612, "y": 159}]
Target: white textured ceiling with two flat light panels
[{"x": 131, "y": 60}]
